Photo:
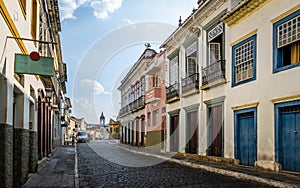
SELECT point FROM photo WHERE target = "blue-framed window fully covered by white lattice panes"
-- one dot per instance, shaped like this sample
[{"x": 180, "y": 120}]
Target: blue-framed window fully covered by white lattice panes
[{"x": 244, "y": 61}]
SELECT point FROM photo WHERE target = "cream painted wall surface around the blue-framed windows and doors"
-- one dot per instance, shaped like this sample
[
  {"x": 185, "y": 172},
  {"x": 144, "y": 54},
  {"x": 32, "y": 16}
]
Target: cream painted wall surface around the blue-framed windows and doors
[{"x": 267, "y": 85}]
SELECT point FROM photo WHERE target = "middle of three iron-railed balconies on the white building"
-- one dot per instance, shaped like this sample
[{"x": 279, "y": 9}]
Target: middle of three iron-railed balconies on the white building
[{"x": 190, "y": 84}]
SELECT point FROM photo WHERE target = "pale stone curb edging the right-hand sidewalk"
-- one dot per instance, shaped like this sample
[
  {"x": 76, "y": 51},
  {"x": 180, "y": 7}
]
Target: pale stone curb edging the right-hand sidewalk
[{"x": 230, "y": 173}]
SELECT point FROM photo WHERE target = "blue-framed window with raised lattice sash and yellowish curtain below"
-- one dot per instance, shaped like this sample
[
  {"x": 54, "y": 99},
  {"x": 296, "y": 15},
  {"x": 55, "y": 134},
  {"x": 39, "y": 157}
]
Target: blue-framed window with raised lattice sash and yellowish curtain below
[{"x": 286, "y": 46}]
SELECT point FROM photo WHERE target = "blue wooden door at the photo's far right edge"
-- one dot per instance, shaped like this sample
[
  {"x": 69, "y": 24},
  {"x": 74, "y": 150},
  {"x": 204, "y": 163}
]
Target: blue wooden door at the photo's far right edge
[{"x": 289, "y": 139}]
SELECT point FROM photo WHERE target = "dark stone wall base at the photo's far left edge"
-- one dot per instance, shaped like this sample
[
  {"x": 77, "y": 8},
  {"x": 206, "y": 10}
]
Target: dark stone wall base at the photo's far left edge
[{"x": 6, "y": 155}]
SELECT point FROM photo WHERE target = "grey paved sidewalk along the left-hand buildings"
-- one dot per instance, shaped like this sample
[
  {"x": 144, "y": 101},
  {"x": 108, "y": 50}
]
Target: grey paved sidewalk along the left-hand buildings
[{"x": 58, "y": 170}]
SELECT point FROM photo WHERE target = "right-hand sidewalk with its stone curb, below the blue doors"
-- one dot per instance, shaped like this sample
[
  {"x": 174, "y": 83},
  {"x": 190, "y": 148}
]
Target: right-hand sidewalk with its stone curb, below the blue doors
[{"x": 277, "y": 179}]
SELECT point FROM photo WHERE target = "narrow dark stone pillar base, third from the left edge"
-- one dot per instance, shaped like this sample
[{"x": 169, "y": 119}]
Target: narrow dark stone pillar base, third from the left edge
[{"x": 33, "y": 157}]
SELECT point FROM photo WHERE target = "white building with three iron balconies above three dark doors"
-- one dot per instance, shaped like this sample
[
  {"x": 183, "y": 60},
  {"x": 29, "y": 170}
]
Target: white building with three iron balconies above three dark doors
[{"x": 196, "y": 81}]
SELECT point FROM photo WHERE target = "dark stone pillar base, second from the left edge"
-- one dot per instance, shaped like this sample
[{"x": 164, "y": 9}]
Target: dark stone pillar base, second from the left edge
[{"x": 21, "y": 156}]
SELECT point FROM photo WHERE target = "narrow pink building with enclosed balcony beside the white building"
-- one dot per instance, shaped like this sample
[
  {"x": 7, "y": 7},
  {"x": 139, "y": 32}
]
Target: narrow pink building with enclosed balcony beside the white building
[{"x": 155, "y": 99}]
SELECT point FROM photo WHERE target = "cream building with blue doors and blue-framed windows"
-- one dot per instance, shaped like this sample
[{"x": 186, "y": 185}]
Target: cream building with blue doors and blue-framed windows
[{"x": 263, "y": 96}]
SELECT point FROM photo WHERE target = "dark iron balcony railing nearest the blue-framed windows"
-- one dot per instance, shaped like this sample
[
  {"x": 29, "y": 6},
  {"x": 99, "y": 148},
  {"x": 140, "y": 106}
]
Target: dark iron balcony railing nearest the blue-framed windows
[{"x": 213, "y": 72}]
